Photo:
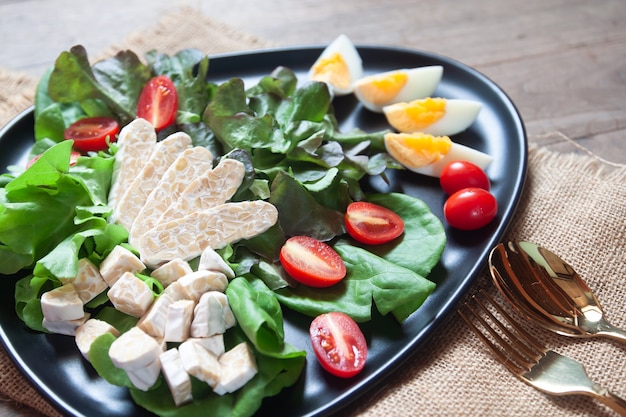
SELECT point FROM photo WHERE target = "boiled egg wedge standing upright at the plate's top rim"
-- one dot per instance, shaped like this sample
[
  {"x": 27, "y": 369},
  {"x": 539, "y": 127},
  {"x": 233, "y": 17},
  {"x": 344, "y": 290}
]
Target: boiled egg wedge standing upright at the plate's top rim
[{"x": 339, "y": 65}]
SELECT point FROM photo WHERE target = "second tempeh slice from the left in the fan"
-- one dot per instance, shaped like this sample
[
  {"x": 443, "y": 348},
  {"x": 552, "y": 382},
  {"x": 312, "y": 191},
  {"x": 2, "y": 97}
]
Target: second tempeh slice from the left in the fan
[{"x": 136, "y": 195}]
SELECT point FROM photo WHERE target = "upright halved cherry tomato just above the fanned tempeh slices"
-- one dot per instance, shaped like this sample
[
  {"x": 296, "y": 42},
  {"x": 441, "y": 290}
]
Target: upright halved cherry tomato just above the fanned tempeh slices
[{"x": 158, "y": 102}]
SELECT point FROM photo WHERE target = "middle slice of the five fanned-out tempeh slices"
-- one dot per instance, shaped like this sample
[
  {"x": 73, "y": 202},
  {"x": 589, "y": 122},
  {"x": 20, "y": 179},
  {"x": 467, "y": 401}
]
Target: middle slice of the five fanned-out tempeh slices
[{"x": 190, "y": 164}]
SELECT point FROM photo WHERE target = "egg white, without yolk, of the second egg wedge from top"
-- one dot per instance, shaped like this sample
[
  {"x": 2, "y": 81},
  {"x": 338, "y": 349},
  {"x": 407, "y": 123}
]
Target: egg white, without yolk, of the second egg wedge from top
[{"x": 421, "y": 83}]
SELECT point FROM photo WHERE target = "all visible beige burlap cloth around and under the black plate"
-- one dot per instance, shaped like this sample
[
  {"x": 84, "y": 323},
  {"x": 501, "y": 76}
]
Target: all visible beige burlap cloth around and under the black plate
[{"x": 573, "y": 204}]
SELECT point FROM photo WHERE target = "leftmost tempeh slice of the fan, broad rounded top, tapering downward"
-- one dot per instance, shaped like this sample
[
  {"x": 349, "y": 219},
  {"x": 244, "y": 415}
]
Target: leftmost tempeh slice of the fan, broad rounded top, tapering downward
[{"x": 135, "y": 141}]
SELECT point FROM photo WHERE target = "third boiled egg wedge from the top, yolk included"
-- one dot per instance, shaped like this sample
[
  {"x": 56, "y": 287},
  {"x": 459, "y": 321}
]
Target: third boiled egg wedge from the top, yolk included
[{"x": 436, "y": 116}]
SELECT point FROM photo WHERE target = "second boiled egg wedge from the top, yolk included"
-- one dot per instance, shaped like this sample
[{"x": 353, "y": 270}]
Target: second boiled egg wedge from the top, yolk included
[{"x": 379, "y": 90}]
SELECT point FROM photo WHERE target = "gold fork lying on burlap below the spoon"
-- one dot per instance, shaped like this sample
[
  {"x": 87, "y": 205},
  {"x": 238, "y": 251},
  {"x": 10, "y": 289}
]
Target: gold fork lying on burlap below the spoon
[{"x": 527, "y": 358}]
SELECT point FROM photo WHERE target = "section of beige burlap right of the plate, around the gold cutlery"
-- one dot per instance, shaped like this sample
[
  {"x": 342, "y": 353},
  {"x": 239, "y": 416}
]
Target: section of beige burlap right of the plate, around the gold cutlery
[{"x": 575, "y": 206}]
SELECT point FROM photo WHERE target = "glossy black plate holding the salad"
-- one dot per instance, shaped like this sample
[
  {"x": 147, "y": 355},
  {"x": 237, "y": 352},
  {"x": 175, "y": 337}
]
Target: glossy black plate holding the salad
[{"x": 54, "y": 365}]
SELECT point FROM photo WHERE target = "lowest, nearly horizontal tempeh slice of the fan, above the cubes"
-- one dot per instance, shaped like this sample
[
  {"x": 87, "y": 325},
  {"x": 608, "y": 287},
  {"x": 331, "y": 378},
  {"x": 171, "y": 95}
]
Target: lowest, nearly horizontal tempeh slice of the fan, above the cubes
[{"x": 187, "y": 238}]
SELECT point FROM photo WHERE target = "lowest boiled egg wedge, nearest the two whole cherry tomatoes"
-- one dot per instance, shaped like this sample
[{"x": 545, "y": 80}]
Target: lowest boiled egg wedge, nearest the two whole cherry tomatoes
[{"x": 428, "y": 155}]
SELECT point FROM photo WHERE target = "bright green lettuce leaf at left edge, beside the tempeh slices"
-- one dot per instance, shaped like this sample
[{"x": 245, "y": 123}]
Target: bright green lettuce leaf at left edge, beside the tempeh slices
[{"x": 49, "y": 204}]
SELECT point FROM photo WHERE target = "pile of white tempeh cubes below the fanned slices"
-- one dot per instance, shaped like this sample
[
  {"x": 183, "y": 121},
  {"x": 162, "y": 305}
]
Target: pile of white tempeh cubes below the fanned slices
[{"x": 193, "y": 311}]
